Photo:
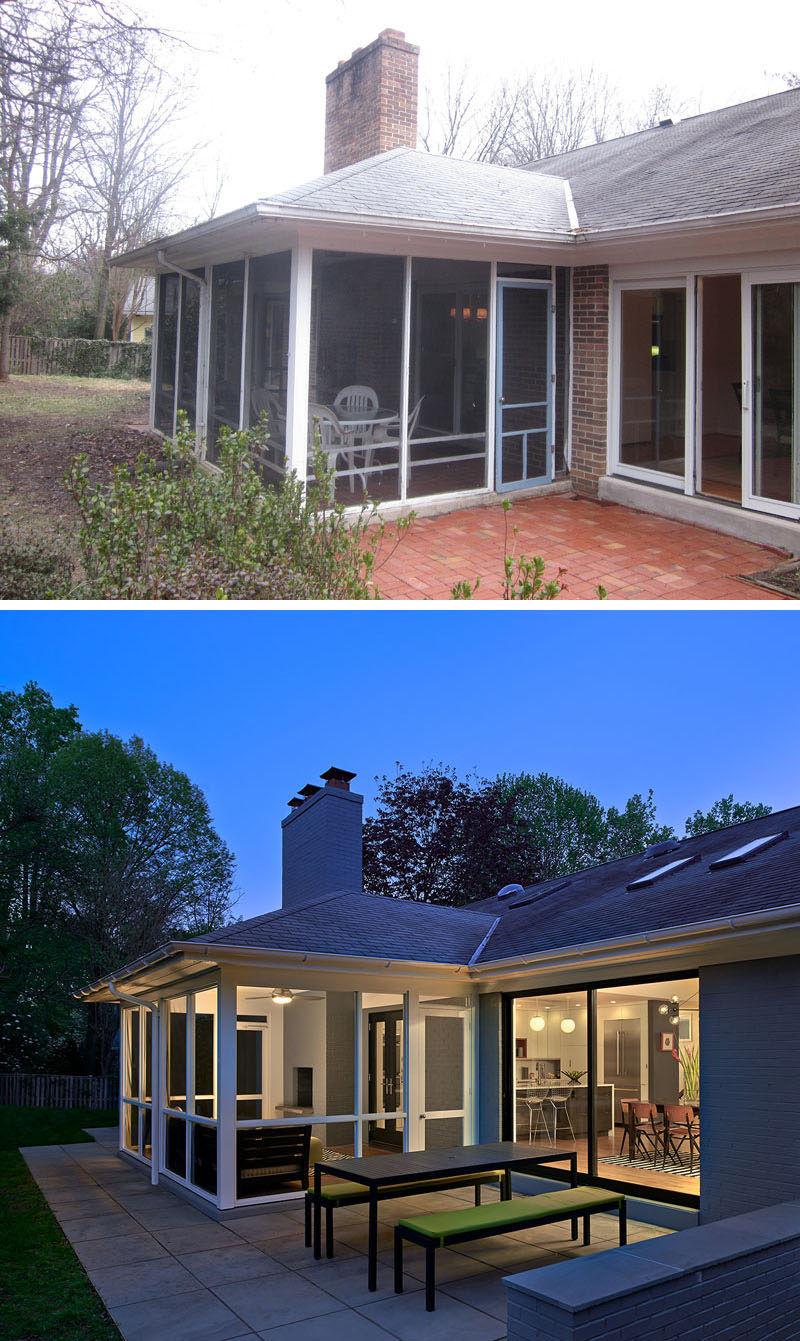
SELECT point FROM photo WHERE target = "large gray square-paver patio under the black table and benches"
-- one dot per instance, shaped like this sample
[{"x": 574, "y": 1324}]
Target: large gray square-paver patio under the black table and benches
[{"x": 165, "y": 1271}]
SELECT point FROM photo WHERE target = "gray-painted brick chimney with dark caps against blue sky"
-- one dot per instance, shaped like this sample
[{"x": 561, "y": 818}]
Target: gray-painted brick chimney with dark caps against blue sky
[{"x": 322, "y": 841}]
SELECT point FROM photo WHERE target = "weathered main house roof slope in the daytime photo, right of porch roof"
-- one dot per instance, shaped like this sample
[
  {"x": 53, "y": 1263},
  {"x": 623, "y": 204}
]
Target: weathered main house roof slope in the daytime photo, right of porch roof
[{"x": 743, "y": 158}]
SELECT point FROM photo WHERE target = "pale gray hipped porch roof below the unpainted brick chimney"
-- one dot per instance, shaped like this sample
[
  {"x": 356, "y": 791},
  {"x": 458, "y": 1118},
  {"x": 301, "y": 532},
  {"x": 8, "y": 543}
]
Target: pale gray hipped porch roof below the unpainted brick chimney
[{"x": 428, "y": 188}]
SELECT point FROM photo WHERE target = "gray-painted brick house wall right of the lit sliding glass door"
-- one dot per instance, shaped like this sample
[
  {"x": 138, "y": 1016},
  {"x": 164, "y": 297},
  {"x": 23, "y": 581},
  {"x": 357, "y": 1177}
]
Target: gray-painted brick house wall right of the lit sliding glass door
[{"x": 748, "y": 1087}]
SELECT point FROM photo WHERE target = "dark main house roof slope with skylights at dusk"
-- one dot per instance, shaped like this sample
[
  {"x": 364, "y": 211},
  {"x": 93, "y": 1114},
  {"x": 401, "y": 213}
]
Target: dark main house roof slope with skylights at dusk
[{"x": 598, "y": 906}]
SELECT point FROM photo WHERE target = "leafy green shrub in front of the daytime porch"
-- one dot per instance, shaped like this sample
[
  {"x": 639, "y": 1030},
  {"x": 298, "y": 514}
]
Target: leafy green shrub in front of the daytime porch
[{"x": 170, "y": 530}]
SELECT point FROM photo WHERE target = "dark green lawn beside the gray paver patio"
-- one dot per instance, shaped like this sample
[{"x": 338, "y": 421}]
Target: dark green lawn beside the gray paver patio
[{"x": 46, "y": 1292}]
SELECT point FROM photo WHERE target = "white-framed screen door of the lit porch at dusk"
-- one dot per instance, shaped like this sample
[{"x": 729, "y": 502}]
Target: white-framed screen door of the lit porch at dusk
[{"x": 444, "y": 1080}]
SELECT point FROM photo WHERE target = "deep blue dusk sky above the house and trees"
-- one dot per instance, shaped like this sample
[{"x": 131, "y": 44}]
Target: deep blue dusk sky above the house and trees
[{"x": 695, "y": 705}]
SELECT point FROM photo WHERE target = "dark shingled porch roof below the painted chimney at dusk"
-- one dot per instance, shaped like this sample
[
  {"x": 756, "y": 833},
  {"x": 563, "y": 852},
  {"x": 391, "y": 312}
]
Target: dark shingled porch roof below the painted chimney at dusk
[{"x": 364, "y": 926}]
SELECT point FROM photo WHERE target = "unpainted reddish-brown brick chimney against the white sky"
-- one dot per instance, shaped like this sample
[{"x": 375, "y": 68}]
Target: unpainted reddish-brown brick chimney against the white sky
[{"x": 372, "y": 101}]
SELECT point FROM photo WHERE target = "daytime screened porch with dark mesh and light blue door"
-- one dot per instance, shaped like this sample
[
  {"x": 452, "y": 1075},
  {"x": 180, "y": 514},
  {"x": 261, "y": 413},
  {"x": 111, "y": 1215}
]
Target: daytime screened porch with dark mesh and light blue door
[{"x": 412, "y": 377}]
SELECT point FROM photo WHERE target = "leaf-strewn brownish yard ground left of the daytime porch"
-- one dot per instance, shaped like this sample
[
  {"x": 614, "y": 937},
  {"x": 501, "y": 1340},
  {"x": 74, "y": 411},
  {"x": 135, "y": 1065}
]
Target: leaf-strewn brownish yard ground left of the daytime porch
[{"x": 45, "y": 422}]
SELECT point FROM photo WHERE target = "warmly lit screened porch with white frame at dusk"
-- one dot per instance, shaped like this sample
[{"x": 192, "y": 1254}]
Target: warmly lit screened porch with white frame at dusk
[{"x": 237, "y": 1091}]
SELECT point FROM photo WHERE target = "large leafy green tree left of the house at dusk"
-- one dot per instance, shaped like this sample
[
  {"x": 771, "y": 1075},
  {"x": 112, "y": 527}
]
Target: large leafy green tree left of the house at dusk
[{"x": 105, "y": 852}]
